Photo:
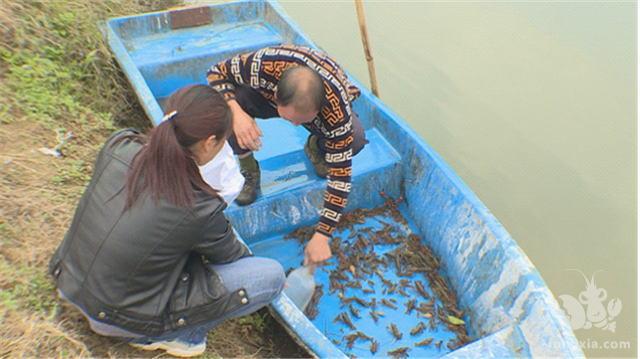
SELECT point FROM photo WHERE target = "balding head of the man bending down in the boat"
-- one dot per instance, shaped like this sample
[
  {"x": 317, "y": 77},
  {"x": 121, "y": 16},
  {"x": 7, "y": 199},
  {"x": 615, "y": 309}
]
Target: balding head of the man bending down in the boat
[{"x": 301, "y": 87}]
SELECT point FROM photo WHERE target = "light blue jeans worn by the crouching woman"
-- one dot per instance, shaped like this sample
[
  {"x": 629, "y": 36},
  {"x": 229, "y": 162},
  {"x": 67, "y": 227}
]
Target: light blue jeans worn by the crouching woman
[{"x": 262, "y": 278}]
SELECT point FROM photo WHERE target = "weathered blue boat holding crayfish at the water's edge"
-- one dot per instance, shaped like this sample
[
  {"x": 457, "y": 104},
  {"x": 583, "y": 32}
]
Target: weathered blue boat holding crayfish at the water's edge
[{"x": 508, "y": 309}]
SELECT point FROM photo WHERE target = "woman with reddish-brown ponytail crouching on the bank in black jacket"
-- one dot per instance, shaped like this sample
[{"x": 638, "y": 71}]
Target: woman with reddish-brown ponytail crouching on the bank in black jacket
[{"x": 150, "y": 256}]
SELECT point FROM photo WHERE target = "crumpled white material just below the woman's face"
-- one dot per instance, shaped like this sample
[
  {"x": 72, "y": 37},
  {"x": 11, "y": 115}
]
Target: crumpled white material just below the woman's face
[{"x": 223, "y": 174}]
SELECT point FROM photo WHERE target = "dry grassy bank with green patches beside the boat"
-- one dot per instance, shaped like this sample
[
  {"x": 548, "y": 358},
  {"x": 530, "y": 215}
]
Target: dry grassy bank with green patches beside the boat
[{"x": 57, "y": 79}]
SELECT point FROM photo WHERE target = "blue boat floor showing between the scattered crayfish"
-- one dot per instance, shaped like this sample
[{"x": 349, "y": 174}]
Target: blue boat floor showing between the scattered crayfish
[{"x": 290, "y": 253}]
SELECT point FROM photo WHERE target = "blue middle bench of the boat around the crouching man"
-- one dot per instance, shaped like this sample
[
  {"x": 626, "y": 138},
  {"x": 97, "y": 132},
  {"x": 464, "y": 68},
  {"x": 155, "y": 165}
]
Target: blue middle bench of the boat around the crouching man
[{"x": 285, "y": 167}]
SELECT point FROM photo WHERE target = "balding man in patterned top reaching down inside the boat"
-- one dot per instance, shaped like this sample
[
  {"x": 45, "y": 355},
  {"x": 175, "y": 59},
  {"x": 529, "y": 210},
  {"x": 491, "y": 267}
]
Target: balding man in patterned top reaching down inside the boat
[{"x": 305, "y": 87}]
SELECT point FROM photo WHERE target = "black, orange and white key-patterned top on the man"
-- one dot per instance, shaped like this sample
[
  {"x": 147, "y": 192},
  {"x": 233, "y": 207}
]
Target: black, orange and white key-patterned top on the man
[{"x": 262, "y": 69}]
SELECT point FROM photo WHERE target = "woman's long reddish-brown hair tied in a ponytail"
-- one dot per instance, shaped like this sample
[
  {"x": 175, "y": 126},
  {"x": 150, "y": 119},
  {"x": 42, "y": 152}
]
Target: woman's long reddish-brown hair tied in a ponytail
[{"x": 165, "y": 165}]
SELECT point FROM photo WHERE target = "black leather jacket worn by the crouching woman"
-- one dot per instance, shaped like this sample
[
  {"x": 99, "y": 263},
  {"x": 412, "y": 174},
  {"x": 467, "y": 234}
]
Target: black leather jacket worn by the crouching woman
[{"x": 145, "y": 269}]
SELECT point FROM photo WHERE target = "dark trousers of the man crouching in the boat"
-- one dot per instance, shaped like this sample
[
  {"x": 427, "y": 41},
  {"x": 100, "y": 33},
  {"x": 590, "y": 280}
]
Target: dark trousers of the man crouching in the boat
[{"x": 254, "y": 104}]
